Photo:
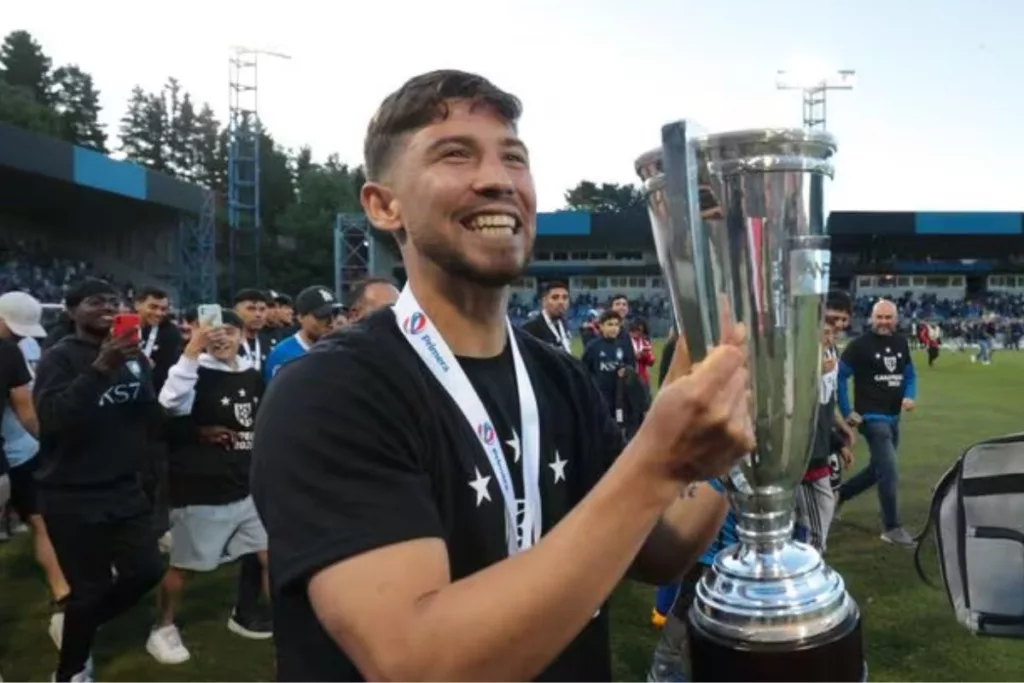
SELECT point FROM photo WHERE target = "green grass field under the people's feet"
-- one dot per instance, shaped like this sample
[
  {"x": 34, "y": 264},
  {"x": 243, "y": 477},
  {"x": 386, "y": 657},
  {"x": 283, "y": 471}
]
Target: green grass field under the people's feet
[{"x": 910, "y": 628}]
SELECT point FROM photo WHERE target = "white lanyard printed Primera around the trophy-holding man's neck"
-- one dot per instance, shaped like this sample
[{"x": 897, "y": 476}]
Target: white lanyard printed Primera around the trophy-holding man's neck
[{"x": 438, "y": 357}]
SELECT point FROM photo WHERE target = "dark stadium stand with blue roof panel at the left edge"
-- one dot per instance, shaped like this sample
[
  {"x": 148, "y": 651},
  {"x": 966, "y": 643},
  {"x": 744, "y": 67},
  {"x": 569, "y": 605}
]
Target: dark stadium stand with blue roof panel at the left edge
[{"x": 67, "y": 212}]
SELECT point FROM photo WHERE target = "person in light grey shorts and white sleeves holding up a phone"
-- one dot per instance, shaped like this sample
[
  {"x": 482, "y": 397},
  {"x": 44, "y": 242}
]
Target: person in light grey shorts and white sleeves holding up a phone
[{"x": 215, "y": 396}]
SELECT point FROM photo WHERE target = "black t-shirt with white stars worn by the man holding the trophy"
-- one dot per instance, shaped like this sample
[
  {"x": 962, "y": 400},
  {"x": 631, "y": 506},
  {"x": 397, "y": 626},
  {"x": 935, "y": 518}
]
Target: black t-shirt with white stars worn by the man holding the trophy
[{"x": 359, "y": 447}]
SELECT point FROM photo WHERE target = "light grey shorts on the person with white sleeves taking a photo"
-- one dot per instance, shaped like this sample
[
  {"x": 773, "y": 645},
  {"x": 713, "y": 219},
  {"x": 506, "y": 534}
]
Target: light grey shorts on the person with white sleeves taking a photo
[{"x": 204, "y": 537}]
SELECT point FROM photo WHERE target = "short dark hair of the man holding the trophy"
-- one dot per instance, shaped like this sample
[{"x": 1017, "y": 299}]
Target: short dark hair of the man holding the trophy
[{"x": 423, "y": 100}]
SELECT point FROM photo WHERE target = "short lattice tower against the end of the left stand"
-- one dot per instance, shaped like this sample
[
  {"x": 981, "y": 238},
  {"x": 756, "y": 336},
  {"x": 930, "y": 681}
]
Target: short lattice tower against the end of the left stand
[{"x": 197, "y": 249}]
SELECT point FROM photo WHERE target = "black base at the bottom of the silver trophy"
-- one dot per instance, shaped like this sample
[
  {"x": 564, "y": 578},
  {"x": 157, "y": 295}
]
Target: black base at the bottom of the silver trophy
[{"x": 836, "y": 656}]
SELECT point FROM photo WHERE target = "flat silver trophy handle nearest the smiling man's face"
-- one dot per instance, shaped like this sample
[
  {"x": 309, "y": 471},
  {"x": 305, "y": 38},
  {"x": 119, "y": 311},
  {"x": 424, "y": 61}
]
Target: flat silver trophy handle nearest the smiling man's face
[{"x": 685, "y": 240}]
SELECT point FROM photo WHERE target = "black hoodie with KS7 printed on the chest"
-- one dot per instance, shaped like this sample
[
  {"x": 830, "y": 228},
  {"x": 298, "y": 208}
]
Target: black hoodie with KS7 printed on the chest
[{"x": 94, "y": 433}]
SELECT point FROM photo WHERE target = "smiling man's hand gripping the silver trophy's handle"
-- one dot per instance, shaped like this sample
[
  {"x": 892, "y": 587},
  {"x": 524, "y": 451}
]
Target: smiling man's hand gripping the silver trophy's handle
[{"x": 700, "y": 424}]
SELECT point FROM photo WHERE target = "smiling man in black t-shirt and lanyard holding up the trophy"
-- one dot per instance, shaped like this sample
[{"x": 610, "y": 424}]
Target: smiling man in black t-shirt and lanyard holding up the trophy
[{"x": 444, "y": 495}]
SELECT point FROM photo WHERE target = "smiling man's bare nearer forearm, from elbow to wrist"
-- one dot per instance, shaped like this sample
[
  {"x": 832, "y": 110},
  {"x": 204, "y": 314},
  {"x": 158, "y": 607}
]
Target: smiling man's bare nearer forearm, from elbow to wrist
[{"x": 511, "y": 620}]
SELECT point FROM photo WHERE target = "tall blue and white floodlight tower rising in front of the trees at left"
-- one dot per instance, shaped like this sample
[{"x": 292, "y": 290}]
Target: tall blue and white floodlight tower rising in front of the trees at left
[{"x": 244, "y": 167}]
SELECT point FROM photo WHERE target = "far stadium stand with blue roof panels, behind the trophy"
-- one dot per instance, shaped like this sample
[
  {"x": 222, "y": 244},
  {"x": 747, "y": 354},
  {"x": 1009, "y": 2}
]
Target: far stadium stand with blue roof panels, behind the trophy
[{"x": 960, "y": 270}]
